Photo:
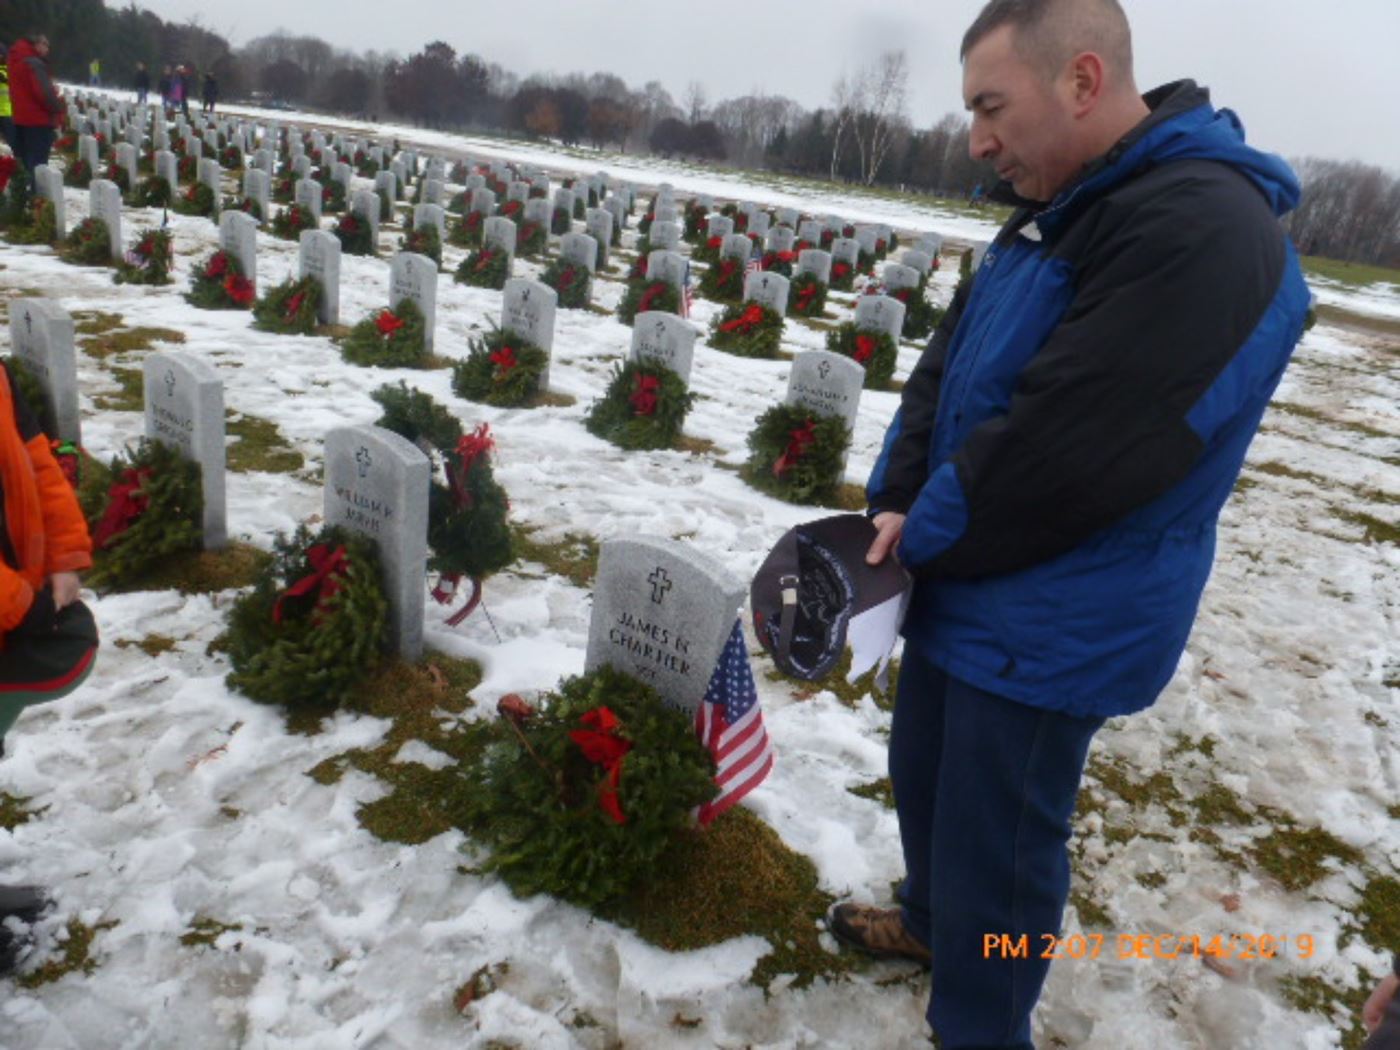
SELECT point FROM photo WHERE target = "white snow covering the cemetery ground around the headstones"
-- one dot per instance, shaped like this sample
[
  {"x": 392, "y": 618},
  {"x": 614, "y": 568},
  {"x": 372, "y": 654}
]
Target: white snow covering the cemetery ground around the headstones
[{"x": 162, "y": 797}]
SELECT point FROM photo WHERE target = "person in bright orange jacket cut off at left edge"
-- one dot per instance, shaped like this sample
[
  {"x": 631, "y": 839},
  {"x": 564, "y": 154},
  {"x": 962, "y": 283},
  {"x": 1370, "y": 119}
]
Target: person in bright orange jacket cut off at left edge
[{"x": 48, "y": 638}]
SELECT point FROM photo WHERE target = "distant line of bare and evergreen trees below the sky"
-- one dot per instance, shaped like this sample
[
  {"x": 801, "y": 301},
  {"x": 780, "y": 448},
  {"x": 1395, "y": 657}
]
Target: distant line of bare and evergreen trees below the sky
[{"x": 1349, "y": 212}]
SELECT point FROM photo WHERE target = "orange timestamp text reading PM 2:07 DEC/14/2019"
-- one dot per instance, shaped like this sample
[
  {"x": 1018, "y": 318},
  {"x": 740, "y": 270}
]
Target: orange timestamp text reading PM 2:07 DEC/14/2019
[{"x": 1149, "y": 947}]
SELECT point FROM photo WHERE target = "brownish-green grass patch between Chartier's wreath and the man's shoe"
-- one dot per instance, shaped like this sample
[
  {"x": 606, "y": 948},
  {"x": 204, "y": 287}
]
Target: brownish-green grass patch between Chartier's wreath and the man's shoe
[{"x": 738, "y": 878}]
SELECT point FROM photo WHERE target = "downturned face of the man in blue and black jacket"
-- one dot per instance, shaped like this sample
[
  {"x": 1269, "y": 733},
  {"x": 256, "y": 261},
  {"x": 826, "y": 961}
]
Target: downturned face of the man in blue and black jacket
[{"x": 1021, "y": 121}]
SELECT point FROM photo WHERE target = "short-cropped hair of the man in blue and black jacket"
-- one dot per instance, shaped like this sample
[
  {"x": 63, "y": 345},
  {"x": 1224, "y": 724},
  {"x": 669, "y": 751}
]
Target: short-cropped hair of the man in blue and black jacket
[{"x": 1051, "y": 33}]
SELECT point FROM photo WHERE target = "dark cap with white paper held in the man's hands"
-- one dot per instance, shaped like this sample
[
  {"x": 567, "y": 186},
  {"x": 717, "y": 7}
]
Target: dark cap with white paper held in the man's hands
[{"x": 815, "y": 590}]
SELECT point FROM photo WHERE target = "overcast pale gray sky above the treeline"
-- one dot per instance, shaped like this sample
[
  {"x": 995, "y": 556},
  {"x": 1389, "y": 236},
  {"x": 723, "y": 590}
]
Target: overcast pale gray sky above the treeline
[{"x": 1305, "y": 78}]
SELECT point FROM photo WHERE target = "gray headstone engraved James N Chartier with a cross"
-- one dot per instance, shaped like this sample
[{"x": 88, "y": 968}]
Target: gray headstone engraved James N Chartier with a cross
[{"x": 663, "y": 614}]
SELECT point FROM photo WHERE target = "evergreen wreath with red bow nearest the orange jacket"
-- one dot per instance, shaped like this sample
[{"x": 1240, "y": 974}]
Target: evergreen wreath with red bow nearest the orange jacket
[{"x": 155, "y": 509}]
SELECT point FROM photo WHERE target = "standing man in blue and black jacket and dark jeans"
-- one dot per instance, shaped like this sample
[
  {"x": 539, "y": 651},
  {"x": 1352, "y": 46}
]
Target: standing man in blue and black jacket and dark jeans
[{"x": 1055, "y": 475}]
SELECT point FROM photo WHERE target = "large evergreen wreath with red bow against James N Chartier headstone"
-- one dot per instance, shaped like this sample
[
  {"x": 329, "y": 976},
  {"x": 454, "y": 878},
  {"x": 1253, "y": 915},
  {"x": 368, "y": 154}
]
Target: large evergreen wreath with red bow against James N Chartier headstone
[{"x": 584, "y": 796}]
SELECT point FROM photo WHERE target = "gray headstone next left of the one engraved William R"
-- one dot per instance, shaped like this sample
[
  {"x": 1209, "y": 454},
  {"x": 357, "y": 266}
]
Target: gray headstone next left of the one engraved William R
[{"x": 185, "y": 409}]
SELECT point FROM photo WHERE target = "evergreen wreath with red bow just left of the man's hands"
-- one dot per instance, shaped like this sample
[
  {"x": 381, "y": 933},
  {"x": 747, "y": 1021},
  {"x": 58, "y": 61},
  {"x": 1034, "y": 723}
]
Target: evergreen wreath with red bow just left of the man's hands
[{"x": 797, "y": 454}]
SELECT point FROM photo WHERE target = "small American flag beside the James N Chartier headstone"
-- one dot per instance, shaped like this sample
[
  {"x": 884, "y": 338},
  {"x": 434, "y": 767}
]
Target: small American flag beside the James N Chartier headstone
[{"x": 731, "y": 726}]
